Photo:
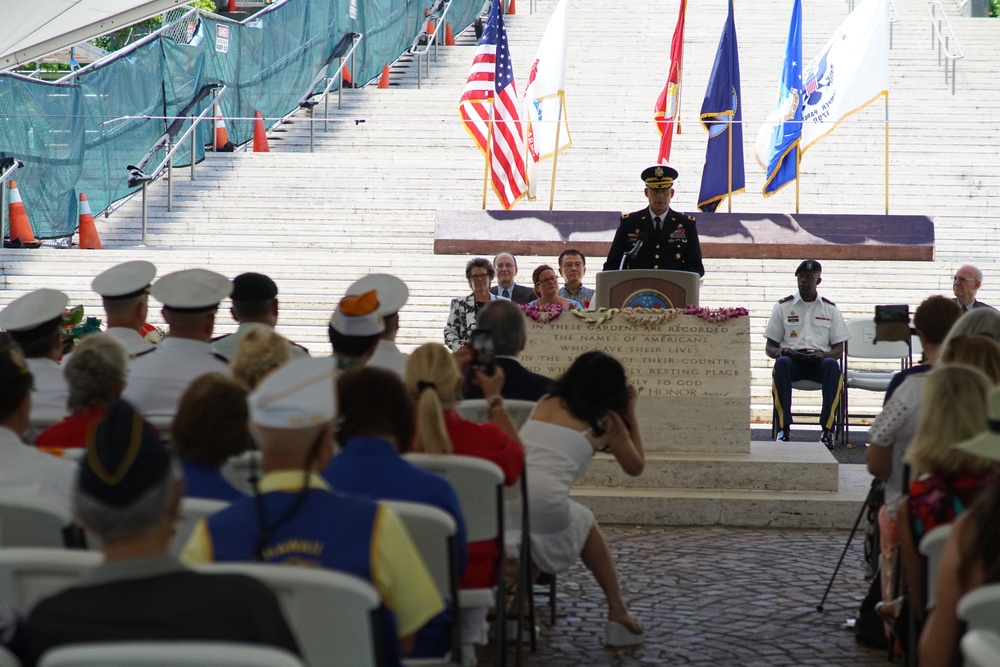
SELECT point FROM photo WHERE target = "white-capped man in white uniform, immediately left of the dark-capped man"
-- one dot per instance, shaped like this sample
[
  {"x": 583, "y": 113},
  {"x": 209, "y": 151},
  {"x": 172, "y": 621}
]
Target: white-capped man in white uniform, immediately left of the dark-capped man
[{"x": 157, "y": 378}]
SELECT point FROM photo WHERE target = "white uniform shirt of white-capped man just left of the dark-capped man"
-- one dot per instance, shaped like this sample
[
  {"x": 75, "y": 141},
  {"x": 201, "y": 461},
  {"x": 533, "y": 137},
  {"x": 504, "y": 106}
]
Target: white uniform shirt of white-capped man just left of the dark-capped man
[{"x": 158, "y": 378}]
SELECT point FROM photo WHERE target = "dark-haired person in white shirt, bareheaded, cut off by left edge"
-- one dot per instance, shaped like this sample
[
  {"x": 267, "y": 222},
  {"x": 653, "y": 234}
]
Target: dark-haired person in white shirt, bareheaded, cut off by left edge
[{"x": 25, "y": 470}]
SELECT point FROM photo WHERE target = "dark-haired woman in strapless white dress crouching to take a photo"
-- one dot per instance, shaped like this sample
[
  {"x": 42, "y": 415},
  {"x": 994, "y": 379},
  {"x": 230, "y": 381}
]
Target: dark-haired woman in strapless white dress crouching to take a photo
[{"x": 591, "y": 408}]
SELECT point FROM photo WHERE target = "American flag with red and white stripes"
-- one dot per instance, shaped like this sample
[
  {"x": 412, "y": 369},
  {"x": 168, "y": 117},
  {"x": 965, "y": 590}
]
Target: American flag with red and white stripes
[{"x": 490, "y": 96}]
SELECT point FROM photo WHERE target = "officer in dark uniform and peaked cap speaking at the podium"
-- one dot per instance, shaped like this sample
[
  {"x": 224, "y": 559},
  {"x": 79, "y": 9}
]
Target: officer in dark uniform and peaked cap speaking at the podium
[{"x": 669, "y": 239}]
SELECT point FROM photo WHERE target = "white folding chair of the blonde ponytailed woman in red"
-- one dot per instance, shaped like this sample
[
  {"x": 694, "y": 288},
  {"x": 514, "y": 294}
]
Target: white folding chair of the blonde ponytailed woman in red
[{"x": 472, "y": 478}]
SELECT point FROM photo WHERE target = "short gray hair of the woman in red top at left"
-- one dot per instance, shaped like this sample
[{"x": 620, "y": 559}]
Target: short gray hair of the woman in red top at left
[{"x": 95, "y": 372}]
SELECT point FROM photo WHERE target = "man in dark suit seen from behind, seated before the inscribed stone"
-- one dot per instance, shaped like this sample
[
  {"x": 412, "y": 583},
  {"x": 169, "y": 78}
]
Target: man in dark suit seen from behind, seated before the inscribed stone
[{"x": 506, "y": 321}]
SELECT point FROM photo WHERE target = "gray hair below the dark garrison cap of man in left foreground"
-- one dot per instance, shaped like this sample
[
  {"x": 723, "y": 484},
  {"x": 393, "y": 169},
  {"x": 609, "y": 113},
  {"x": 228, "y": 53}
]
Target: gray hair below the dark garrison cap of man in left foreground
[{"x": 117, "y": 524}]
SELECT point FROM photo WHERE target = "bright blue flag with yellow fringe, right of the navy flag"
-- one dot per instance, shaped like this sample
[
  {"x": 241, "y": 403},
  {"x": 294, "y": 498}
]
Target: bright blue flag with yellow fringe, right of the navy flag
[{"x": 778, "y": 140}]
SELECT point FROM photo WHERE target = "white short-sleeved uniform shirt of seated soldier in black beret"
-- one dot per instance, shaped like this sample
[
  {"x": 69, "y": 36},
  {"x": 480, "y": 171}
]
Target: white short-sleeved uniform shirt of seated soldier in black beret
[{"x": 800, "y": 324}]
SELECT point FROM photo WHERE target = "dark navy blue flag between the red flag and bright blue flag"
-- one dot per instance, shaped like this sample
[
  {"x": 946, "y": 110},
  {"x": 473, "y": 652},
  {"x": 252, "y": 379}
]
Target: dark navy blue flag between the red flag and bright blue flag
[{"x": 722, "y": 118}]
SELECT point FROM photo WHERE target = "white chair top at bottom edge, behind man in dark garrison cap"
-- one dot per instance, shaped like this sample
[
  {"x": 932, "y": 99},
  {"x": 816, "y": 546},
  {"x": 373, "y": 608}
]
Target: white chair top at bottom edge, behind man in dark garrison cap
[{"x": 169, "y": 654}]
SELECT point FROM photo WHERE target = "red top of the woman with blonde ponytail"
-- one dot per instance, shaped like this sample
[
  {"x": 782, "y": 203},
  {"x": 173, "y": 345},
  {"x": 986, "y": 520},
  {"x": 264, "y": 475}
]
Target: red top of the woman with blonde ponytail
[{"x": 484, "y": 441}]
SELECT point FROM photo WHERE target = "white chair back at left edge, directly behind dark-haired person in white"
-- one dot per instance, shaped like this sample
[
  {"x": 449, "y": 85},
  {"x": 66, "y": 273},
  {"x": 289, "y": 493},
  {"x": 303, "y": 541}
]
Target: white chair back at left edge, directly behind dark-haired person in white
[{"x": 31, "y": 522}]
